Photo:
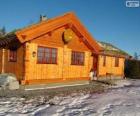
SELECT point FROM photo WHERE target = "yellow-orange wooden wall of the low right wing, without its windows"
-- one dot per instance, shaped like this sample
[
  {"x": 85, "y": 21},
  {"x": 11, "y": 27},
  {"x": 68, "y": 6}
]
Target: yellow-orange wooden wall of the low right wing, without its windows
[{"x": 110, "y": 67}]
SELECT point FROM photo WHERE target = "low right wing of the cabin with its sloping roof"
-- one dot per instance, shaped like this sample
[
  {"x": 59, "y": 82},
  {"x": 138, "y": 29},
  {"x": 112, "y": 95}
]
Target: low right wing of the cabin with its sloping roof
[{"x": 111, "y": 61}]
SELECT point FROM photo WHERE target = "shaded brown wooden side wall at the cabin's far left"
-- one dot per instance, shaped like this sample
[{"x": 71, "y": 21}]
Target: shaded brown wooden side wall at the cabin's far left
[{"x": 13, "y": 67}]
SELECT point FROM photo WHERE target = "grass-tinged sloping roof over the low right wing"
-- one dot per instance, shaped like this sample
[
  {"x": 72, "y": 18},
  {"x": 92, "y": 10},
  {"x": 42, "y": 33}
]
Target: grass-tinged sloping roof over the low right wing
[{"x": 110, "y": 49}]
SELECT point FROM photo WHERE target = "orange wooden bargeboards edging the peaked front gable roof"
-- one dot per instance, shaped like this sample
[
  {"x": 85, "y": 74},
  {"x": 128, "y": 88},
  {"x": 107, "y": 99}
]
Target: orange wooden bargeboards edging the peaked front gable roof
[{"x": 47, "y": 26}]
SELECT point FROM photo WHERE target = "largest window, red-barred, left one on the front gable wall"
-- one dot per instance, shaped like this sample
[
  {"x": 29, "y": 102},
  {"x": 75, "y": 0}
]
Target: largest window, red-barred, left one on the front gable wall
[{"x": 47, "y": 55}]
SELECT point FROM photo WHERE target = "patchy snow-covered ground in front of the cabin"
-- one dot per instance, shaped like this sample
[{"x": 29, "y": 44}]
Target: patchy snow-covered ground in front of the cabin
[{"x": 120, "y": 101}]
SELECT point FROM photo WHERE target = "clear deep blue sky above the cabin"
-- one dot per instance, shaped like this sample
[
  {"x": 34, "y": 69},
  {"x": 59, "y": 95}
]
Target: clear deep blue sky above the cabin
[{"x": 107, "y": 20}]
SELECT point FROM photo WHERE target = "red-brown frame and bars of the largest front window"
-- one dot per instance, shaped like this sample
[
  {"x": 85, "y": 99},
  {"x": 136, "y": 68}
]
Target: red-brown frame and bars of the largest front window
[{"x": 44, "y": 55}]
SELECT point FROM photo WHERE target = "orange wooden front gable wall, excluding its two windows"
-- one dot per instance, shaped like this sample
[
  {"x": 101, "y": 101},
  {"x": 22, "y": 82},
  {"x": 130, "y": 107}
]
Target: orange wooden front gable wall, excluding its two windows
[{"x": 63, "y": 69}]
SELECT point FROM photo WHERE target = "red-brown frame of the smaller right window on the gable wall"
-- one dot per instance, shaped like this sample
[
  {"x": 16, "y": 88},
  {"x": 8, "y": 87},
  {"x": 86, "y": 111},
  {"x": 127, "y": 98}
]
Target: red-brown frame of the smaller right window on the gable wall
[{"x": 74, "y": 56}]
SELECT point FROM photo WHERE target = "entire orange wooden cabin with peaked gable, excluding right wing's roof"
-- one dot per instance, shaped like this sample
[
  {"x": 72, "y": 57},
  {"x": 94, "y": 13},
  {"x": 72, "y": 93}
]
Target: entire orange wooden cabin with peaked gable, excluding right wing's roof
[{"x": 55, "y": 50}]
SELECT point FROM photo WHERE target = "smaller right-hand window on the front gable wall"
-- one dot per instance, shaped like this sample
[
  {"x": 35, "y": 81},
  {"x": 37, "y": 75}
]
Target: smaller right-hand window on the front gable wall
[{"x": 77, "y": 58}]
